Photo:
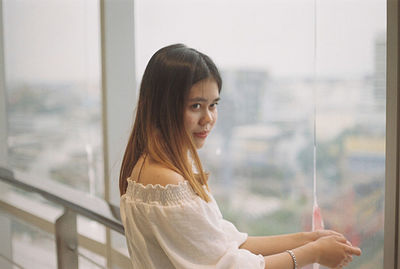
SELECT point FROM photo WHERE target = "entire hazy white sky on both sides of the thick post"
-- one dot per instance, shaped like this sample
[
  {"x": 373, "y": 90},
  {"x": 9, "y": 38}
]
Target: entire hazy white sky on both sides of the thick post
[{"x": 59, "y": 40}]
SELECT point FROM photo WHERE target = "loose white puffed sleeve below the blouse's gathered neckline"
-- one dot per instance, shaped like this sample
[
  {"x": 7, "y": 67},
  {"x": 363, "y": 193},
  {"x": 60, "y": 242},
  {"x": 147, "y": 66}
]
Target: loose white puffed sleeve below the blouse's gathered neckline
[{"x": 194, "y": 235}]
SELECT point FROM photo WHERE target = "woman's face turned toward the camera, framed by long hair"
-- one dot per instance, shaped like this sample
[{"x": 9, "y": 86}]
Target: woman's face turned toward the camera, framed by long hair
[{"x": 200, "y": 112}]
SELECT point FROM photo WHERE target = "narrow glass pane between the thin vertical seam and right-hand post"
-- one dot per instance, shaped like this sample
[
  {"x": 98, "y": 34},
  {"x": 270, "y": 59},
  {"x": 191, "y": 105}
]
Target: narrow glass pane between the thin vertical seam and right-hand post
[{"x": 351, "y": 122}]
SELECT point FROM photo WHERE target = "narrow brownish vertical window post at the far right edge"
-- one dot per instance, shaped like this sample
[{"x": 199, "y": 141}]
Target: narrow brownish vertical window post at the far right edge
[{"x": 392, "y": 206}]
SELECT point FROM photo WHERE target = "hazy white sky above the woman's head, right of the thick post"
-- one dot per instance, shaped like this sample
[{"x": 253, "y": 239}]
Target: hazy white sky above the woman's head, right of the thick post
[{"x": 277, "y": 36}]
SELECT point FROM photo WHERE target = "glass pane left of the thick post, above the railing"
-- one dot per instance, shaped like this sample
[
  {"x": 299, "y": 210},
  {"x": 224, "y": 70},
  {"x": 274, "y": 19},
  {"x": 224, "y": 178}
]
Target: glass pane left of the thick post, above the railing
[{"x": 53, "y": 87}]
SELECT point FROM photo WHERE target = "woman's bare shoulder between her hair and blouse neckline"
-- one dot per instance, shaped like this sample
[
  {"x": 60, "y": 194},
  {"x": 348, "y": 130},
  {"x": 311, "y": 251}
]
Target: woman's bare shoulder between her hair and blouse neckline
[{"x": 157, "y": 174}]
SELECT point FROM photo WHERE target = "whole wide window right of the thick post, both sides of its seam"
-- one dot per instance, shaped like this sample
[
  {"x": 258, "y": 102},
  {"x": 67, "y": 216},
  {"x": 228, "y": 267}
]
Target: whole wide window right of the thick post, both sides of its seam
[{"x": 278, "y": 59}]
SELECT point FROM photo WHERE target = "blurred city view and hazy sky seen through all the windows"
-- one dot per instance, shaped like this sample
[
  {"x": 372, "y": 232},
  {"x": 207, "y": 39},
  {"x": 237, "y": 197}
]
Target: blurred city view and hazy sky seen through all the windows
[{"x": 279, "y": 60}]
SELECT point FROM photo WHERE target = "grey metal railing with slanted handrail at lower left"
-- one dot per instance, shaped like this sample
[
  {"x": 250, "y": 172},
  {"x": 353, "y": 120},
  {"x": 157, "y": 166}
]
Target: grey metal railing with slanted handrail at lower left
[{"x": 62, "y": 221}]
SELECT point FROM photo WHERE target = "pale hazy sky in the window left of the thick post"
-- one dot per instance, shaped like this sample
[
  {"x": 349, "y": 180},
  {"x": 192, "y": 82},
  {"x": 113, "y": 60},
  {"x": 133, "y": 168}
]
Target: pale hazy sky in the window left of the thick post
[{"x": 51, "y": 40}]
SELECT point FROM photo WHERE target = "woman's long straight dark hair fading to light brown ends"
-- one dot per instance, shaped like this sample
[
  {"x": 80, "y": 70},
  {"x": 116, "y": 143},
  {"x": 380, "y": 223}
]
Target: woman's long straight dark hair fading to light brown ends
[{"x": 158, "y": 128}]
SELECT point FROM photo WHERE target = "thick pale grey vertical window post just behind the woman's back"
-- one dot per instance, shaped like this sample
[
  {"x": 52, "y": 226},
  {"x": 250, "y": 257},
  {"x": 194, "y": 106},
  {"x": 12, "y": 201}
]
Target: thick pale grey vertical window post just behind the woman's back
[{"x": 118, "y": 92}]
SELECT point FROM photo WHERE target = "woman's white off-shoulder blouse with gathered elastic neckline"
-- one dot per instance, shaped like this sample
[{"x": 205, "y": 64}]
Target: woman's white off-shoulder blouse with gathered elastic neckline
[{"x": 172, "y": 227}]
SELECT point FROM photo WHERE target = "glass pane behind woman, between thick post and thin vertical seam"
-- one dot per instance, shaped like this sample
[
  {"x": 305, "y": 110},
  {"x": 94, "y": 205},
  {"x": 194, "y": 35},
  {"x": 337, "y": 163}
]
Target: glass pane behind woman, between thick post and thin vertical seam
[{"x": 265, "y": 113}]
